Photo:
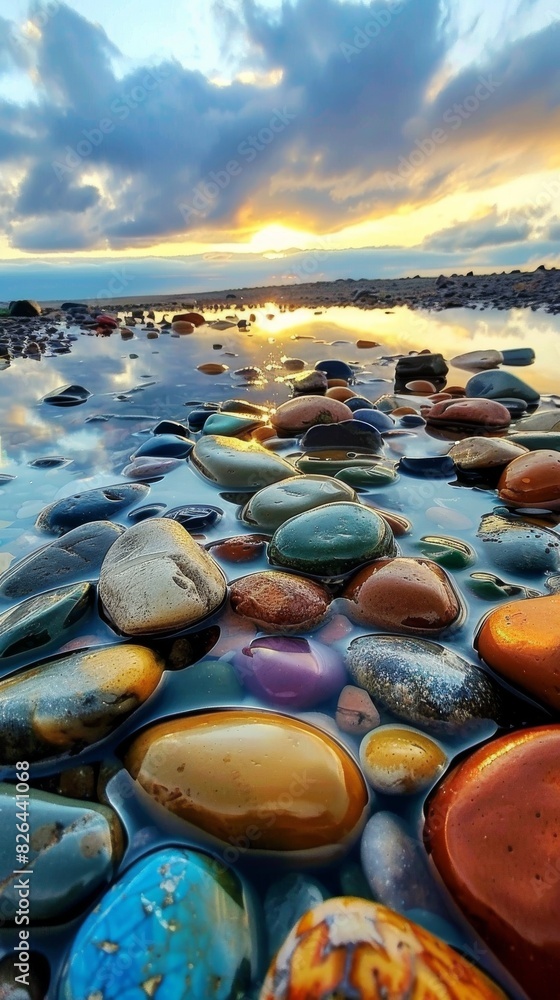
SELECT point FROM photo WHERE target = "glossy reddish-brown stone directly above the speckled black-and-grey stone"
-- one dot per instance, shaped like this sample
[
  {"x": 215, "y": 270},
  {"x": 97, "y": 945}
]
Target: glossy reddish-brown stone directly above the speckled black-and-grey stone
[{"x": 403, "y": 595}]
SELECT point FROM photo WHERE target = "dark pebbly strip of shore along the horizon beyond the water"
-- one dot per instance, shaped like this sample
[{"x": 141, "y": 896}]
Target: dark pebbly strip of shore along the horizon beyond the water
[{"x": 516, "y": 289}]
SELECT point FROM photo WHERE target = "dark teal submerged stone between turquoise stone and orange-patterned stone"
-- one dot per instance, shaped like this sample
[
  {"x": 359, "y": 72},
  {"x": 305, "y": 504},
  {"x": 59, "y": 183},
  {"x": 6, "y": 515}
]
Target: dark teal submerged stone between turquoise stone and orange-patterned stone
[{"x": 286, "y": 901}]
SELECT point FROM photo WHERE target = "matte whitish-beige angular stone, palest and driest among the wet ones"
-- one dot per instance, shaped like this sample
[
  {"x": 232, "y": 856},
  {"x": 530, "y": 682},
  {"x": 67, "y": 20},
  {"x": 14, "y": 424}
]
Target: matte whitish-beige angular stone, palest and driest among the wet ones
[{"x": 157, "y": 579}]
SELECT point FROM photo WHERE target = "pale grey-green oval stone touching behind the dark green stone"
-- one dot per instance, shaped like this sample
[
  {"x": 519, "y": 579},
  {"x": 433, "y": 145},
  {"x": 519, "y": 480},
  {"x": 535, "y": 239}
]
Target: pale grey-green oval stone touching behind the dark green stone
[{"x": 270, "y": 507}]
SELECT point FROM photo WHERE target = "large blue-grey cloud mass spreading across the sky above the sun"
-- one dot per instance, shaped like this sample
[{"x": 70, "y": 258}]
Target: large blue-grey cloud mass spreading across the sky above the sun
[{"x": 346, "y": 133}]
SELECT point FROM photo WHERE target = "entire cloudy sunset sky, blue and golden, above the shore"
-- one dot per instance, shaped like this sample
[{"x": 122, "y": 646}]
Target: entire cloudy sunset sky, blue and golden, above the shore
[{"x": 198, "y": 144}]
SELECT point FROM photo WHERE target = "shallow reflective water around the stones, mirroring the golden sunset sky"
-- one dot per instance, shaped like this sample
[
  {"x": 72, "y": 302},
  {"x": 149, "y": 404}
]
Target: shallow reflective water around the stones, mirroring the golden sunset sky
[{"x": 138, "y": 381}]
